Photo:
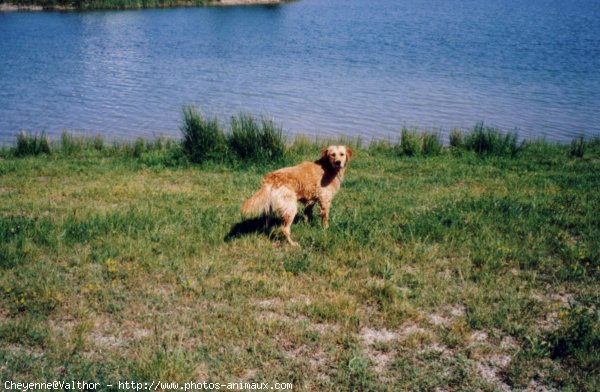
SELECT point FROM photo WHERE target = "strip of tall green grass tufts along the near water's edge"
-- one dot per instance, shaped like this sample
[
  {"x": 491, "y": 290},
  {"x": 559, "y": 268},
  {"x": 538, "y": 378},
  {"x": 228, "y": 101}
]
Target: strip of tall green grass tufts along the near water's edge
[{"x": 260, "y": 141}]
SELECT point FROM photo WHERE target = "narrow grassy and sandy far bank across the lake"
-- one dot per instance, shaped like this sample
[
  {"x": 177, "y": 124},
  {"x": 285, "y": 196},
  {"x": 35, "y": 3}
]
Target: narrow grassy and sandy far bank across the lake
[{"x": 11, "y": 7}]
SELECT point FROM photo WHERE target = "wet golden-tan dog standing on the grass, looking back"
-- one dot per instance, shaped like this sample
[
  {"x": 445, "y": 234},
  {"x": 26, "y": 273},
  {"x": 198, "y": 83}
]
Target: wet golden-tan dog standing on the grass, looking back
[{"x": 308, "y": 182}]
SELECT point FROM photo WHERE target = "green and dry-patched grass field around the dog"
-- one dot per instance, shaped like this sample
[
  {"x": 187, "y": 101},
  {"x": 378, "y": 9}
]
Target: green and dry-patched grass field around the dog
[{"x": 456, "y": 270}]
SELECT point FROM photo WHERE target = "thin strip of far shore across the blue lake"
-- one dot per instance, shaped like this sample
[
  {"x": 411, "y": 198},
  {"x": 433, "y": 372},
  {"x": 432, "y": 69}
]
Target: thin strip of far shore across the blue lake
[{"x": 131, "y": 4}]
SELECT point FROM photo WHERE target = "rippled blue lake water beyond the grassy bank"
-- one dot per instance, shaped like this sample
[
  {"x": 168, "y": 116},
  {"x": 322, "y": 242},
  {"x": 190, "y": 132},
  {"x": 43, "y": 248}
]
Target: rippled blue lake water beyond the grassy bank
[{"x": 317, "y": 67}]
